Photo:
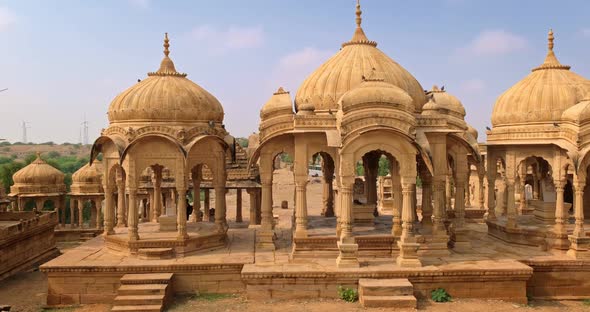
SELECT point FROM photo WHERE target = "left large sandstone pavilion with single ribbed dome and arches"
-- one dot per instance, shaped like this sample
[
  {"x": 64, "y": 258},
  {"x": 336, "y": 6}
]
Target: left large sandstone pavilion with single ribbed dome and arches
[{"x": 164, "y": 122}]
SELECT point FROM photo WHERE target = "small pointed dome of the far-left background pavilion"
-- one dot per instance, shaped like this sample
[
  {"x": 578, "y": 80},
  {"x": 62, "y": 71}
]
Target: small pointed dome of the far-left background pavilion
[{"x": 38, "y": 175}]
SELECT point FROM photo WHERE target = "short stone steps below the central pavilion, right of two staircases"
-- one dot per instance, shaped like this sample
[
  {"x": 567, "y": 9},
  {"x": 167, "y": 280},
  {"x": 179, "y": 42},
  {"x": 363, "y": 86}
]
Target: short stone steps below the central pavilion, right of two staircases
[{"x": 387, "y": 293}]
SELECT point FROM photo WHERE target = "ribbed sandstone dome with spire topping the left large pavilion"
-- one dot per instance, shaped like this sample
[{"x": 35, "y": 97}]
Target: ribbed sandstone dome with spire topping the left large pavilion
[{"x": 165, "y": 96}]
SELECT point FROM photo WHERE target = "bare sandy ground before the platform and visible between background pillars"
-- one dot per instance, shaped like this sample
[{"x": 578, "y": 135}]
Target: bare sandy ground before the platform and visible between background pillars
[{"x": 28, "y": 291}]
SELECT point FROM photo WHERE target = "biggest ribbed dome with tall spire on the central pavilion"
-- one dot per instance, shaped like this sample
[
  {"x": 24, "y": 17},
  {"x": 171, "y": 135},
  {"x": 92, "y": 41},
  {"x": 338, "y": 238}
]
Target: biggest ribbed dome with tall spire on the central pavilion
[{"x": 345, "y": 70}]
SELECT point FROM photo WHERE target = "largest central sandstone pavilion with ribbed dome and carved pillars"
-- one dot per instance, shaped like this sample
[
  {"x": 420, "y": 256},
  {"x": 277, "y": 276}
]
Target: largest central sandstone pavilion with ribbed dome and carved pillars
[{"x": 358, "y": 109}]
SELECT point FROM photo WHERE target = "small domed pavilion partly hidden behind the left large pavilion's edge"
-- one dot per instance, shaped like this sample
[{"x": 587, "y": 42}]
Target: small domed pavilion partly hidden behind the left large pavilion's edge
[{"x": 87, "y": 188}]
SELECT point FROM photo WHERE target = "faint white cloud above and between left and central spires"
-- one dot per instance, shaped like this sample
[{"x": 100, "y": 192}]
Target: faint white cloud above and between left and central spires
[{"x": 232, "y": 38}]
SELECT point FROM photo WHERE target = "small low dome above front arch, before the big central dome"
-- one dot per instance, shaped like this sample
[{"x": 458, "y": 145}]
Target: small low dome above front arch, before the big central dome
[{"x": 376, "y": 92}]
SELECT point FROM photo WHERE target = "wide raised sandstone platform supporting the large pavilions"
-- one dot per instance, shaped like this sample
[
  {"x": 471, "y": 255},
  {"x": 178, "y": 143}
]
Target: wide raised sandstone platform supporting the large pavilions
[{"x": 486, "y": 268}]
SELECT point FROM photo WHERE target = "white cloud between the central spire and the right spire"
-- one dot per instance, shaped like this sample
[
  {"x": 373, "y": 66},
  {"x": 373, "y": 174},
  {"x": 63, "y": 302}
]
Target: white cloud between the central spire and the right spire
[{"x": 494, "y": 42}]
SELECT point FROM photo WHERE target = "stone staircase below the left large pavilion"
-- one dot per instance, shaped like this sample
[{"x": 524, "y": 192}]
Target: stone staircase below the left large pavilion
[{"x": 144, "y": 292}]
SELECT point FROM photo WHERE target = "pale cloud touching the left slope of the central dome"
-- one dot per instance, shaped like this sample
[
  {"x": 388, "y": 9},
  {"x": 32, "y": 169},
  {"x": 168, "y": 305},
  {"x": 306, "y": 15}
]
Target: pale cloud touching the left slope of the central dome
[{"x": 294, "y": 67}]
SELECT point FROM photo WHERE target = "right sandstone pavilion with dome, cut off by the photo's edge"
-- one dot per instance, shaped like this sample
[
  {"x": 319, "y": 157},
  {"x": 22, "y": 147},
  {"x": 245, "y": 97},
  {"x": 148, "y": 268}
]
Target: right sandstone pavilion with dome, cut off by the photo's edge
[{"x": 538, "y": 150}]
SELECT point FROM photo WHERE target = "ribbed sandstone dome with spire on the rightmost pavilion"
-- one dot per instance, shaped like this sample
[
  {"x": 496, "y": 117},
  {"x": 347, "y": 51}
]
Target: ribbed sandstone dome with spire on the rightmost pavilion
[{"x": 542, "y": 96}]
